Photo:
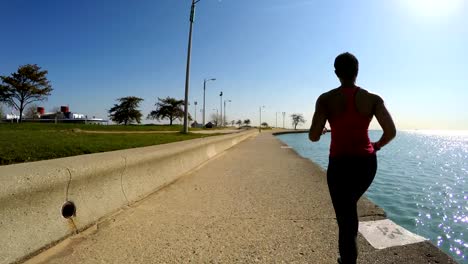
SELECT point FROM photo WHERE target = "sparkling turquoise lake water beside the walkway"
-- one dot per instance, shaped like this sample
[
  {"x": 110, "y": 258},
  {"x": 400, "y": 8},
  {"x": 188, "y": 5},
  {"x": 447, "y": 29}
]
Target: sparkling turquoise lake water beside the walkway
[{"x": 421, "y": 183}]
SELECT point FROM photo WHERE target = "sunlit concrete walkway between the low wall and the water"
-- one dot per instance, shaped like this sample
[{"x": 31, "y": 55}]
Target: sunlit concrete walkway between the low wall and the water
[{"x": 257, "y": 202}]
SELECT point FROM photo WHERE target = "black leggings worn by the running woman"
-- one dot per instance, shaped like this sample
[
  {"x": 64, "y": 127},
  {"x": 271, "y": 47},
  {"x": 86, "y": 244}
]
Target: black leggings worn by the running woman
[{"x": 348, "y": 179}]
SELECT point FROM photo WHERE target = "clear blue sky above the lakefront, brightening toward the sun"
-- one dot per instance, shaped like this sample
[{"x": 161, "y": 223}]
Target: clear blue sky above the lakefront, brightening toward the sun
[{"x": 277, "y": 53}]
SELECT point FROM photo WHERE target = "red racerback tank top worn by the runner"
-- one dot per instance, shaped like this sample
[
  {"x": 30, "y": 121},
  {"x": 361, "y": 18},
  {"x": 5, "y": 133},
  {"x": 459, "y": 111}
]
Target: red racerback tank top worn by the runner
[{"x": 349, "y": 130}]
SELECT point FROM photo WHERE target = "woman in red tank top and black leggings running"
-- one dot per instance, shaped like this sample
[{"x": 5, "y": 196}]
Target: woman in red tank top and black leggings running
[{"x": 352, "y": 165}]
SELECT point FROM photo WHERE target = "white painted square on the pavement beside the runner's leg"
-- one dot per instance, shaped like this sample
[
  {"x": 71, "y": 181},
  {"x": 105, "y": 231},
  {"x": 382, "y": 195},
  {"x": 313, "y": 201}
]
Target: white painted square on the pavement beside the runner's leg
[{"x": 385, "y": 233}]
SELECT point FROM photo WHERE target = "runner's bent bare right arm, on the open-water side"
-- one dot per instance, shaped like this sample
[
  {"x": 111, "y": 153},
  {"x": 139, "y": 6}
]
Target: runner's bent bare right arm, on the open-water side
[{"x": 386, "y": 122}]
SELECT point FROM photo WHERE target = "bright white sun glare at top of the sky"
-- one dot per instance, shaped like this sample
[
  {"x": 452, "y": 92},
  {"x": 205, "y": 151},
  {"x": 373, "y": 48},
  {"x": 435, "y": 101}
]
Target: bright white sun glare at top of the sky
[{"x": 432, "y": 8}]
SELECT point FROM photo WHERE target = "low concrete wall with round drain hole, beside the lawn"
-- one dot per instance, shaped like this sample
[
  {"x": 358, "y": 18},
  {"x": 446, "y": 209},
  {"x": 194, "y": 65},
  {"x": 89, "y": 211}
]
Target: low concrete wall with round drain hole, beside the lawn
[{"x": 32, "y": 194}]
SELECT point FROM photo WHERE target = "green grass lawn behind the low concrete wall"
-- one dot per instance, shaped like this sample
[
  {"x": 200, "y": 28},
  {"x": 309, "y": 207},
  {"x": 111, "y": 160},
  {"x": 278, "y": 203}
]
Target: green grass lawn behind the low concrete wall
[{"x": 33, "y": 142}]
